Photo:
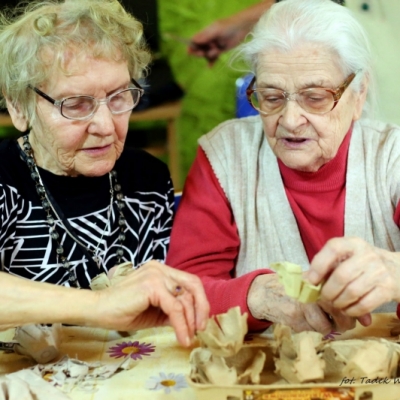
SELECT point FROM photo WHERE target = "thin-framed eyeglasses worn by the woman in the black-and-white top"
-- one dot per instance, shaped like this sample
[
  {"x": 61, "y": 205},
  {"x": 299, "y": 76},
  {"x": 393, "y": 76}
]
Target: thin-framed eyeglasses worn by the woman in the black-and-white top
[{"x": 84, "y": 107}]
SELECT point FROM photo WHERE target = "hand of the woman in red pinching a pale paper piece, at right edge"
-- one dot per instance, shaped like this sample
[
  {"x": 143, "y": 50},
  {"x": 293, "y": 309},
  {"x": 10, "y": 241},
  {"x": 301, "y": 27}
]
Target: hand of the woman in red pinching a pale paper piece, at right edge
[{"x": 358, "y": 277}]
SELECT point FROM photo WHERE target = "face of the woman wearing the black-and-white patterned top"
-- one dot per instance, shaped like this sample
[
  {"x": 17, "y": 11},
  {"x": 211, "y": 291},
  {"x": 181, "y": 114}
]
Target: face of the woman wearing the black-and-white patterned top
[{"x": 71, "y": 147}]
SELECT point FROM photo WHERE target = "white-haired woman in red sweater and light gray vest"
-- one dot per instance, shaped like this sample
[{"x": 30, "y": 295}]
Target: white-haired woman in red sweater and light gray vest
[{"x": 310, "y": 180}]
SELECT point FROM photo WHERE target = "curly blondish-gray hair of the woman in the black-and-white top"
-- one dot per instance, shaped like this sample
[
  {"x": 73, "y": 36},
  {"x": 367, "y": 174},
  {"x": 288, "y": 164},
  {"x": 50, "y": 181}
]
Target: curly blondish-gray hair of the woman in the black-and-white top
[{"x": 35, "y": 42}]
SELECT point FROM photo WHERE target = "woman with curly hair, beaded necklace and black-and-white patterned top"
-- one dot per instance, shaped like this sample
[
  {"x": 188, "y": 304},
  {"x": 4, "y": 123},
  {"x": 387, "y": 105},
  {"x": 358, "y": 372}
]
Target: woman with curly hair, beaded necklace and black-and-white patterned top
[{"x": 75, "y": 203}]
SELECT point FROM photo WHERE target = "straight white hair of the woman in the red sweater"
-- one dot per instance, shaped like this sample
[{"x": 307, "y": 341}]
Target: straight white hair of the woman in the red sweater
[{"x": 290, "y": 24}]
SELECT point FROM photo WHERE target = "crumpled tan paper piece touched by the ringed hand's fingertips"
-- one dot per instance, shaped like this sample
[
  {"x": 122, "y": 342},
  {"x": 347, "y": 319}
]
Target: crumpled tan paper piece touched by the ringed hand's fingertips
[{"x": 225, "y": 333}]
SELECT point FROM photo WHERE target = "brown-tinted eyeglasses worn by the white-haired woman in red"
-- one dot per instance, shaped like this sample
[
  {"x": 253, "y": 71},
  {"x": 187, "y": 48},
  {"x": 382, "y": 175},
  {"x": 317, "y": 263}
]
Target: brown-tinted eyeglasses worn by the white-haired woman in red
[{"x": 270, "y": 101}]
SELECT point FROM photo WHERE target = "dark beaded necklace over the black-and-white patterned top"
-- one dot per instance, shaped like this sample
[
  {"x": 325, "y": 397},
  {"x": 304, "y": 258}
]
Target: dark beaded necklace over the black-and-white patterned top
[{"x": 53, "y": 215}]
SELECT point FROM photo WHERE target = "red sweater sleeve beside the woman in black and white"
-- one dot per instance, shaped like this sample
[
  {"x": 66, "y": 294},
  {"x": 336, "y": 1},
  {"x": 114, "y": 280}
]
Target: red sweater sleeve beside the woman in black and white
[{"x": 205, "y": 242}]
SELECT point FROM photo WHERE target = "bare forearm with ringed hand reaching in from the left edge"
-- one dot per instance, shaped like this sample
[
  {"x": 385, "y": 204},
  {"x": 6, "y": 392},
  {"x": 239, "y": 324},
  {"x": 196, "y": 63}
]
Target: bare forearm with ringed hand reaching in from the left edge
[{"x": 145, "y": 298}]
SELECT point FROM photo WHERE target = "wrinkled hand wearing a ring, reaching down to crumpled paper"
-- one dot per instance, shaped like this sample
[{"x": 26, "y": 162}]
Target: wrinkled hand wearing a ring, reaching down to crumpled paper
[{"x": 147, "y": 298}]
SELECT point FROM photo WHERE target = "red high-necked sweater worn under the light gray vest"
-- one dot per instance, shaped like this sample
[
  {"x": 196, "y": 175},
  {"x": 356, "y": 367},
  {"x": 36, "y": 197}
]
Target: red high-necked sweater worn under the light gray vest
[{"x": 205, "y": 240}]
